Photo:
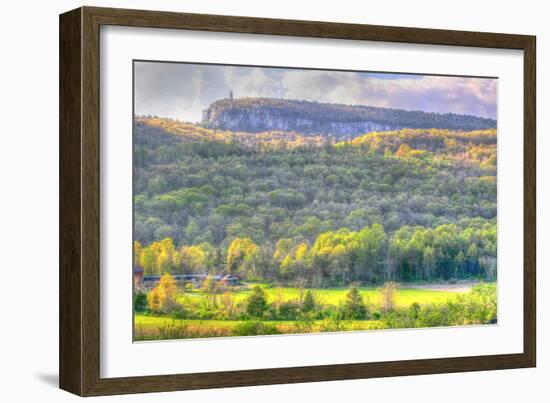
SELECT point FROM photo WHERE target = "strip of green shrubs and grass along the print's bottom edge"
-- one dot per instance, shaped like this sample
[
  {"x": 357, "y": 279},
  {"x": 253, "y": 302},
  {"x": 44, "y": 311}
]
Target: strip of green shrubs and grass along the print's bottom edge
[{"x": 477, "y": 306}]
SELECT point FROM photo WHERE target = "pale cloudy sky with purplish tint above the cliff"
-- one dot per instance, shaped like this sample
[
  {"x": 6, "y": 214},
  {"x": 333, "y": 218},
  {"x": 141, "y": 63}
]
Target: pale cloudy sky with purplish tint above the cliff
[{"x": 183, "y": 91}]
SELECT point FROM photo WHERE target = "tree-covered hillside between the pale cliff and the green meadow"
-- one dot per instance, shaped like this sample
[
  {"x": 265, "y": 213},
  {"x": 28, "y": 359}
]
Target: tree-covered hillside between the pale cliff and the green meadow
[{"x": 402, "y": 205}]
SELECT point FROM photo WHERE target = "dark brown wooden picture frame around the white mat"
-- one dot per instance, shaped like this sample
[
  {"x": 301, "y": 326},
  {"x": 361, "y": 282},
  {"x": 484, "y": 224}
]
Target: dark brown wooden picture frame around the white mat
[{"x": 79, "y": 349}]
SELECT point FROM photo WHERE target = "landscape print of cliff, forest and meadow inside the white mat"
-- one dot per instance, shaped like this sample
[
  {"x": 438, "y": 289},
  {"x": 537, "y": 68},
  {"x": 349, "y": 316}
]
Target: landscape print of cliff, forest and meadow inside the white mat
[{"x": 274, "y": 200}]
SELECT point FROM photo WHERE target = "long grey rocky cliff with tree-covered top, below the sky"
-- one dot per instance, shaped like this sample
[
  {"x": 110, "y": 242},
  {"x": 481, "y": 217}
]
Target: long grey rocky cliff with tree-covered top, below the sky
[{"x": 263, "y": 114}]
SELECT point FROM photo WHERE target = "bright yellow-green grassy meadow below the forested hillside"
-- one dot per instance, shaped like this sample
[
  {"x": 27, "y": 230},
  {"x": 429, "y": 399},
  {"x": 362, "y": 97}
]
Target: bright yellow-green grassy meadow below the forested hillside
[{"x": 326, "y": 316}]
